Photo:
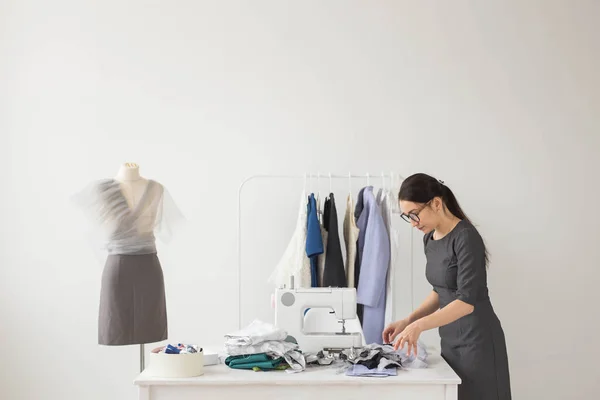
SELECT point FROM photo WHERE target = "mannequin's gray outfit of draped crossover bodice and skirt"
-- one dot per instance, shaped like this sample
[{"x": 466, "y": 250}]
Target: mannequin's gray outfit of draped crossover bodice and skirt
[{"x": 132, "y": 296}]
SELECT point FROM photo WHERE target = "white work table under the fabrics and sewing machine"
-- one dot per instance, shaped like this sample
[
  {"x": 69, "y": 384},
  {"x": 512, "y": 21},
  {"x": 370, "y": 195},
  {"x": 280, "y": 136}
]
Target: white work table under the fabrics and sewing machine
[{"x": 438, "y": 382}]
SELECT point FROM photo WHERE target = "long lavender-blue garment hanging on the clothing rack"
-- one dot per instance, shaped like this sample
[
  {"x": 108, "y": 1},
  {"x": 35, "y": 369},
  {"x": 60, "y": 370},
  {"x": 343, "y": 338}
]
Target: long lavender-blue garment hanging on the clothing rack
[{"x": 374, "y": 266}]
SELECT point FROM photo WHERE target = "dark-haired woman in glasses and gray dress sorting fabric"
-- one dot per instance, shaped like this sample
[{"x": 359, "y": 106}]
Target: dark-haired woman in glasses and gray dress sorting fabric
[{"x": 472, "y": 339}]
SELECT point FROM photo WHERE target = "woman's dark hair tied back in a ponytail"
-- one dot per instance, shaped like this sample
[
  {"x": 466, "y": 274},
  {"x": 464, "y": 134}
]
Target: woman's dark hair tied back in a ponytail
[{"x": 421, "y": 188}]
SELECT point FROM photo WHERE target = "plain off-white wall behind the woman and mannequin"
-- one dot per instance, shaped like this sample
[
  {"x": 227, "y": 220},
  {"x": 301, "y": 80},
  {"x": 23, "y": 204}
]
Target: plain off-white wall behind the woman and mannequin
[{"x": 498, "y": 98}]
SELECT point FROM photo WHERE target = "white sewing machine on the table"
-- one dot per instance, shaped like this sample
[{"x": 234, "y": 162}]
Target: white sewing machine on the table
[{"x": 290, "y": 309}]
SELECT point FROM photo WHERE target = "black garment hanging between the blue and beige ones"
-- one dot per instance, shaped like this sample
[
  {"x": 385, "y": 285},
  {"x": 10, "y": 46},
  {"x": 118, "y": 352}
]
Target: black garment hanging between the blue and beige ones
[{"x": 334, "y": 274}]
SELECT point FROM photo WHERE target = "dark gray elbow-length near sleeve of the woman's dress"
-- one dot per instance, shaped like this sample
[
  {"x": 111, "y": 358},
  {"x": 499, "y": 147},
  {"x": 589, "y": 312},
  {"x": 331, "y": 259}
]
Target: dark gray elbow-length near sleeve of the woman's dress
[{"x": 470, "y": 252}]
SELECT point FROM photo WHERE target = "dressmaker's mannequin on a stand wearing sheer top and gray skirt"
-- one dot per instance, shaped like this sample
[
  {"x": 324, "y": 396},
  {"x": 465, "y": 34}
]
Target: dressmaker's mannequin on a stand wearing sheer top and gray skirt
[{"x": 131, "y": 209}]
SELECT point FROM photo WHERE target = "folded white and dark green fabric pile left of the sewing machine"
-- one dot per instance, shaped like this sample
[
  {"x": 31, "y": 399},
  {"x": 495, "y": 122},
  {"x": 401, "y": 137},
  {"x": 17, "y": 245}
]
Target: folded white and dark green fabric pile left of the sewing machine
[{"x": 261, "y": 347}]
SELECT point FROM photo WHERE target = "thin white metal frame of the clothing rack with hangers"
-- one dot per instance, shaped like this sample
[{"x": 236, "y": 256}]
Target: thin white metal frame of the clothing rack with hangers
[{"x": 308, "y": 176}]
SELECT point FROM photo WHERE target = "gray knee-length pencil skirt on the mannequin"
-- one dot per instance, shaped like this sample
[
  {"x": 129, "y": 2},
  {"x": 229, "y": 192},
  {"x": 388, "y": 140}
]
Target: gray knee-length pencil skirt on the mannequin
[{"x": 132, "y": 301}]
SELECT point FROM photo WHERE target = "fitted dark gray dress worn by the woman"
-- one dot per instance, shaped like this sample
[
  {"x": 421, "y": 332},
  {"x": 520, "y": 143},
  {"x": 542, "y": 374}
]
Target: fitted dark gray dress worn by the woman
[{"x": 474, "y": 345}]
